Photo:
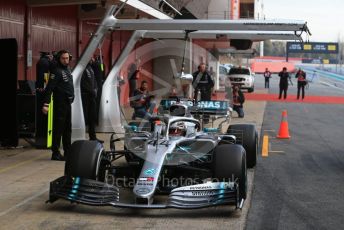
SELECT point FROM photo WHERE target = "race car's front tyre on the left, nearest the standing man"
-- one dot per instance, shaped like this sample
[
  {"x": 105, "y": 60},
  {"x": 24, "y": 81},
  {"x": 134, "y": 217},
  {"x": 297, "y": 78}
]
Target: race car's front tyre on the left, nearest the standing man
[{"x": 86, "y": 160}]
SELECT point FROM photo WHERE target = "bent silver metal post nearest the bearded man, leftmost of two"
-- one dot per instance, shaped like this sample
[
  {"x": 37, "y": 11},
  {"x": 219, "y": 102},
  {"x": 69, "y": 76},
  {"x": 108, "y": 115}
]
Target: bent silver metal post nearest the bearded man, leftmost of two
[{"x": 78, "y": 121}]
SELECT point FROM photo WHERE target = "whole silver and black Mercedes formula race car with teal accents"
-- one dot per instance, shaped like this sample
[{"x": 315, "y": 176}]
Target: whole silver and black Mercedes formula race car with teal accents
[{"x": 169, "y": 155}]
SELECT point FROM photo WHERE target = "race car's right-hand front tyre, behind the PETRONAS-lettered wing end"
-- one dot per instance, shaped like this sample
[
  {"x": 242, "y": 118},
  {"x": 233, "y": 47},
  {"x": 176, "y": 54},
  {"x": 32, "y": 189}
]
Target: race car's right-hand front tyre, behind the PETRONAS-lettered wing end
[{"x": 230, "y": 164}]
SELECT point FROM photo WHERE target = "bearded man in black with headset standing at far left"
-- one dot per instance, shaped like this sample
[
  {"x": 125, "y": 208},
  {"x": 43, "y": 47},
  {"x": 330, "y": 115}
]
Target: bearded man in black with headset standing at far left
[{"x": 61, "y": 85}]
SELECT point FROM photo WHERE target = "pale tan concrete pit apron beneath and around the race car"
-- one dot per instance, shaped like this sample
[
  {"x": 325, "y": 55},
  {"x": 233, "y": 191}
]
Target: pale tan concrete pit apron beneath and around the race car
[{"x": 24, "y": 181}]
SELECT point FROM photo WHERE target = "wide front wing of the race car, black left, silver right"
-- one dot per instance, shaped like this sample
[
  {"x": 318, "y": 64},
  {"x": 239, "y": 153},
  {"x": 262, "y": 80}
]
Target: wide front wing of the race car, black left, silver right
[{"x": 91, "y": 192}]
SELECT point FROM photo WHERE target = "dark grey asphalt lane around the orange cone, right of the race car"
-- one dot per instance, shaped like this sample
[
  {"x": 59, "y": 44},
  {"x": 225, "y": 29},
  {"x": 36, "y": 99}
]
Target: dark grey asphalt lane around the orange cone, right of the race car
[{"x": 301, "y": 187}]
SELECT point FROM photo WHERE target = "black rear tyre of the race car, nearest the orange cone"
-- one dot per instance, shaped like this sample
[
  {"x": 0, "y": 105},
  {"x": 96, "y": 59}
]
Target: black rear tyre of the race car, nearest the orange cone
[{"x": 247, "y": 136}]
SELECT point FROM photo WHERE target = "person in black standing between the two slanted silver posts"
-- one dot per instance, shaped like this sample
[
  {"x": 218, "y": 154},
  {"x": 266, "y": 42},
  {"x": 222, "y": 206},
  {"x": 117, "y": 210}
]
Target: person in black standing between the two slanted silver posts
[{"x": 89, "y": 91}]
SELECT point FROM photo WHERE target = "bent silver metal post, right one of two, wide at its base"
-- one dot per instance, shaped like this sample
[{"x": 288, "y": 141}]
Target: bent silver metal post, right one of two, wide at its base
[{"x": 109, "y": 111}]
